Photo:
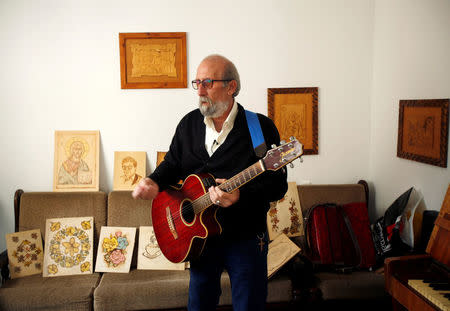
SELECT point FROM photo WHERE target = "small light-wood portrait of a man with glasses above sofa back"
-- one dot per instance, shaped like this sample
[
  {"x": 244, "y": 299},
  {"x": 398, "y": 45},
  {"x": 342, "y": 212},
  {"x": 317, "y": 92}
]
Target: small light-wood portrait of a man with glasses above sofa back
[{"x": 129, "y": 169}]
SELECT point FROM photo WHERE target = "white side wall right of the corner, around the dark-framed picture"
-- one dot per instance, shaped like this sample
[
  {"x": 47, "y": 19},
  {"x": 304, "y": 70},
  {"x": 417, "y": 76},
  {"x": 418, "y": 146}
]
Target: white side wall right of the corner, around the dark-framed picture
[{"x": 411, "y": 61}]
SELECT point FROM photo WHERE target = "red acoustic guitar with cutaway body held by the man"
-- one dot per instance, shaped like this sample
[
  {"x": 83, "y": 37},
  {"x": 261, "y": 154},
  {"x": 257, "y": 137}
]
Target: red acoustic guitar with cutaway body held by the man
[{"x": 184, "y": 217}]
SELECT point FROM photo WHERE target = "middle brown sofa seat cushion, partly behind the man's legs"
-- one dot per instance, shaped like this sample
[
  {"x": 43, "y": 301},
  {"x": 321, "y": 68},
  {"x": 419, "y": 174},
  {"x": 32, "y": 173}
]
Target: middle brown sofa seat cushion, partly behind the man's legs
[{"x": 157, "y": 289}]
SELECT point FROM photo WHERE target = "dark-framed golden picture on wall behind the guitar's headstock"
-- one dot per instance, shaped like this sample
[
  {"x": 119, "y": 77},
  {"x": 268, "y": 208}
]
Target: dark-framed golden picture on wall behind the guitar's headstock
[{"x": 295, "y": 113}]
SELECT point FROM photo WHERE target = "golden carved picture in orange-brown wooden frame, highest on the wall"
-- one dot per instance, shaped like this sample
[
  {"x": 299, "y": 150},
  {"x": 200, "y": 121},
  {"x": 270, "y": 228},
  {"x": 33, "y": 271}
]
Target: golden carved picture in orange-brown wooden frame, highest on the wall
[{"x": 153, "y": 60}]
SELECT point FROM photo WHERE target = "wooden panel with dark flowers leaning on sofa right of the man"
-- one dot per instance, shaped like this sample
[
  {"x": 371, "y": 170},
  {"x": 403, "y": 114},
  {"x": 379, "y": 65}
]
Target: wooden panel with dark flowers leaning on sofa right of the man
[{"x": 285, "y": 215}]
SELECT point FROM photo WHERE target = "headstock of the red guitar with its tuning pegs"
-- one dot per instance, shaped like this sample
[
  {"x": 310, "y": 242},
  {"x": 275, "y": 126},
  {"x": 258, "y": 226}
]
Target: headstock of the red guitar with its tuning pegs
[{"x": 282, "y": 155}]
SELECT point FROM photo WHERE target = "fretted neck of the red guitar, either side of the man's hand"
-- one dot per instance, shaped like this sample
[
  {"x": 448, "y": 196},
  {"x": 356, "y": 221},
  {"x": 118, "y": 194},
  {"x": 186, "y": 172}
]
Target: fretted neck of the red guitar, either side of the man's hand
[{"x": 230, "y": 185}]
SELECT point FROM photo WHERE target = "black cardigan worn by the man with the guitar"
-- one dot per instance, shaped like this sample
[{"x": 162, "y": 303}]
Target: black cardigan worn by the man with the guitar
[{"x": 187, "y": 155}]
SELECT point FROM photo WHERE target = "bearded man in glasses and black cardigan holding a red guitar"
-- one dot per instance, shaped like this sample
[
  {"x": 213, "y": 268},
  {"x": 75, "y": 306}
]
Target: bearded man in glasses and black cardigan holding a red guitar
[{"x": 215, "y": 223}]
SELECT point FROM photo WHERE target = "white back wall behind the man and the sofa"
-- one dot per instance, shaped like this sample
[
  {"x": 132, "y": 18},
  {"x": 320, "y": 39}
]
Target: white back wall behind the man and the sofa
[{"x": 60, "y": 71}]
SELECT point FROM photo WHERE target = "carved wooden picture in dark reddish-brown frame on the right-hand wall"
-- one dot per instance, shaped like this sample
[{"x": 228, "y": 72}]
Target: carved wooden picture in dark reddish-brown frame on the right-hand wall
[{"x": 423, "y": 131}]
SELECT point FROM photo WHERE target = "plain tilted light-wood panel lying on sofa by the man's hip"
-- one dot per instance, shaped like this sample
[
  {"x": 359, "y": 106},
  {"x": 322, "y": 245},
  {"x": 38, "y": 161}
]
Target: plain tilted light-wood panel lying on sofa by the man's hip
[{"x": 281, "y": 250}]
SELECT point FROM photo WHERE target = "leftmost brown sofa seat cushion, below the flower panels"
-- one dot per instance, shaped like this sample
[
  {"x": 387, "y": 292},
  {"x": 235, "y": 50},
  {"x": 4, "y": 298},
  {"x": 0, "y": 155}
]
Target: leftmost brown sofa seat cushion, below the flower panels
[{"x": 34, "y": 292}]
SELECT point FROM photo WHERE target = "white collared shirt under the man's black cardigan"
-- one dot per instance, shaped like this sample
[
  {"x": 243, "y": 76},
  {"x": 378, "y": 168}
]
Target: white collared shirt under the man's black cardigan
[{"x": 214, "y": 139}]
